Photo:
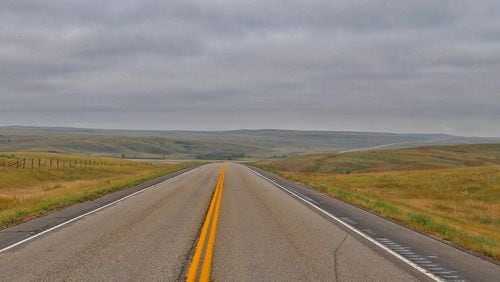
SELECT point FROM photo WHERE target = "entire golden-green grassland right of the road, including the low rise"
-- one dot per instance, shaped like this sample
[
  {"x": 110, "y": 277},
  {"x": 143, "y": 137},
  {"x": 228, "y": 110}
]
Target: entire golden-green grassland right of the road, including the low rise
[{"x": 451, "y": 192}]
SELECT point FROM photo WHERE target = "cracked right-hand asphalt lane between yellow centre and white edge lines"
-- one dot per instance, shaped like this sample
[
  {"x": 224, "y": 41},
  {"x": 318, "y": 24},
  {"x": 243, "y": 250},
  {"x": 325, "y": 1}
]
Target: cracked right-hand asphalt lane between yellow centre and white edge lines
[{"x": 266, "y": 235}]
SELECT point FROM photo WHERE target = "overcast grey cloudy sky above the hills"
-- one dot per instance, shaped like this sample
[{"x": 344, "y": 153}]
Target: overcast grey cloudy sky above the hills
[{"x": 394, "y": 66}]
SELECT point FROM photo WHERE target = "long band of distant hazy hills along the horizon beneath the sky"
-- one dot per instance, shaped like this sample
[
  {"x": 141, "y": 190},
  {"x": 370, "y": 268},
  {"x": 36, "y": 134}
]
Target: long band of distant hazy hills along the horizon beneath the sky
[{"x": 236, "y": 144}]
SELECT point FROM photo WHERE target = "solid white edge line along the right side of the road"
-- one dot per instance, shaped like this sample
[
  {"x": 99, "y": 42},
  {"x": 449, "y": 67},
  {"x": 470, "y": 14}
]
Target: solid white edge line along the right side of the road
[{"x": 410, "y": 263}]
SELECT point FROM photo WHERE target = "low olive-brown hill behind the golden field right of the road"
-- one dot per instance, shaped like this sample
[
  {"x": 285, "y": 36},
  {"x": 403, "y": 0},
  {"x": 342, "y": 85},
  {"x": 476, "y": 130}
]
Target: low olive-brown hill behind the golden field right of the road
[{"x": 430, "y": 157}]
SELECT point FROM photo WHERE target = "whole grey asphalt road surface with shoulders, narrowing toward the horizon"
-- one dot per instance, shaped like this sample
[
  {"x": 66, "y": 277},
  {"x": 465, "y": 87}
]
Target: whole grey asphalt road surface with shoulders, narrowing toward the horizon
[{"x": 263, "y": 233}]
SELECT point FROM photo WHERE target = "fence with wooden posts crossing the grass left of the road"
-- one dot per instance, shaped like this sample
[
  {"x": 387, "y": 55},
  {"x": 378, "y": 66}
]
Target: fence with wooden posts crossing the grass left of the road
[{"x": 32, "y": 163}]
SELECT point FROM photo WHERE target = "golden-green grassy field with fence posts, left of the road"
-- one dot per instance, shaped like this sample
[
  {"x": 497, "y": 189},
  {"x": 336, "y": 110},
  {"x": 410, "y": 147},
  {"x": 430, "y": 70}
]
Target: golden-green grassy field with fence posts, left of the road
[{"x": 30, "y": 192}]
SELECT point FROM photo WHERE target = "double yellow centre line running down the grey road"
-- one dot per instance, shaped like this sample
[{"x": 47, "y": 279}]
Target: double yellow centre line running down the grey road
[{"x": 209, "y": 224}]
